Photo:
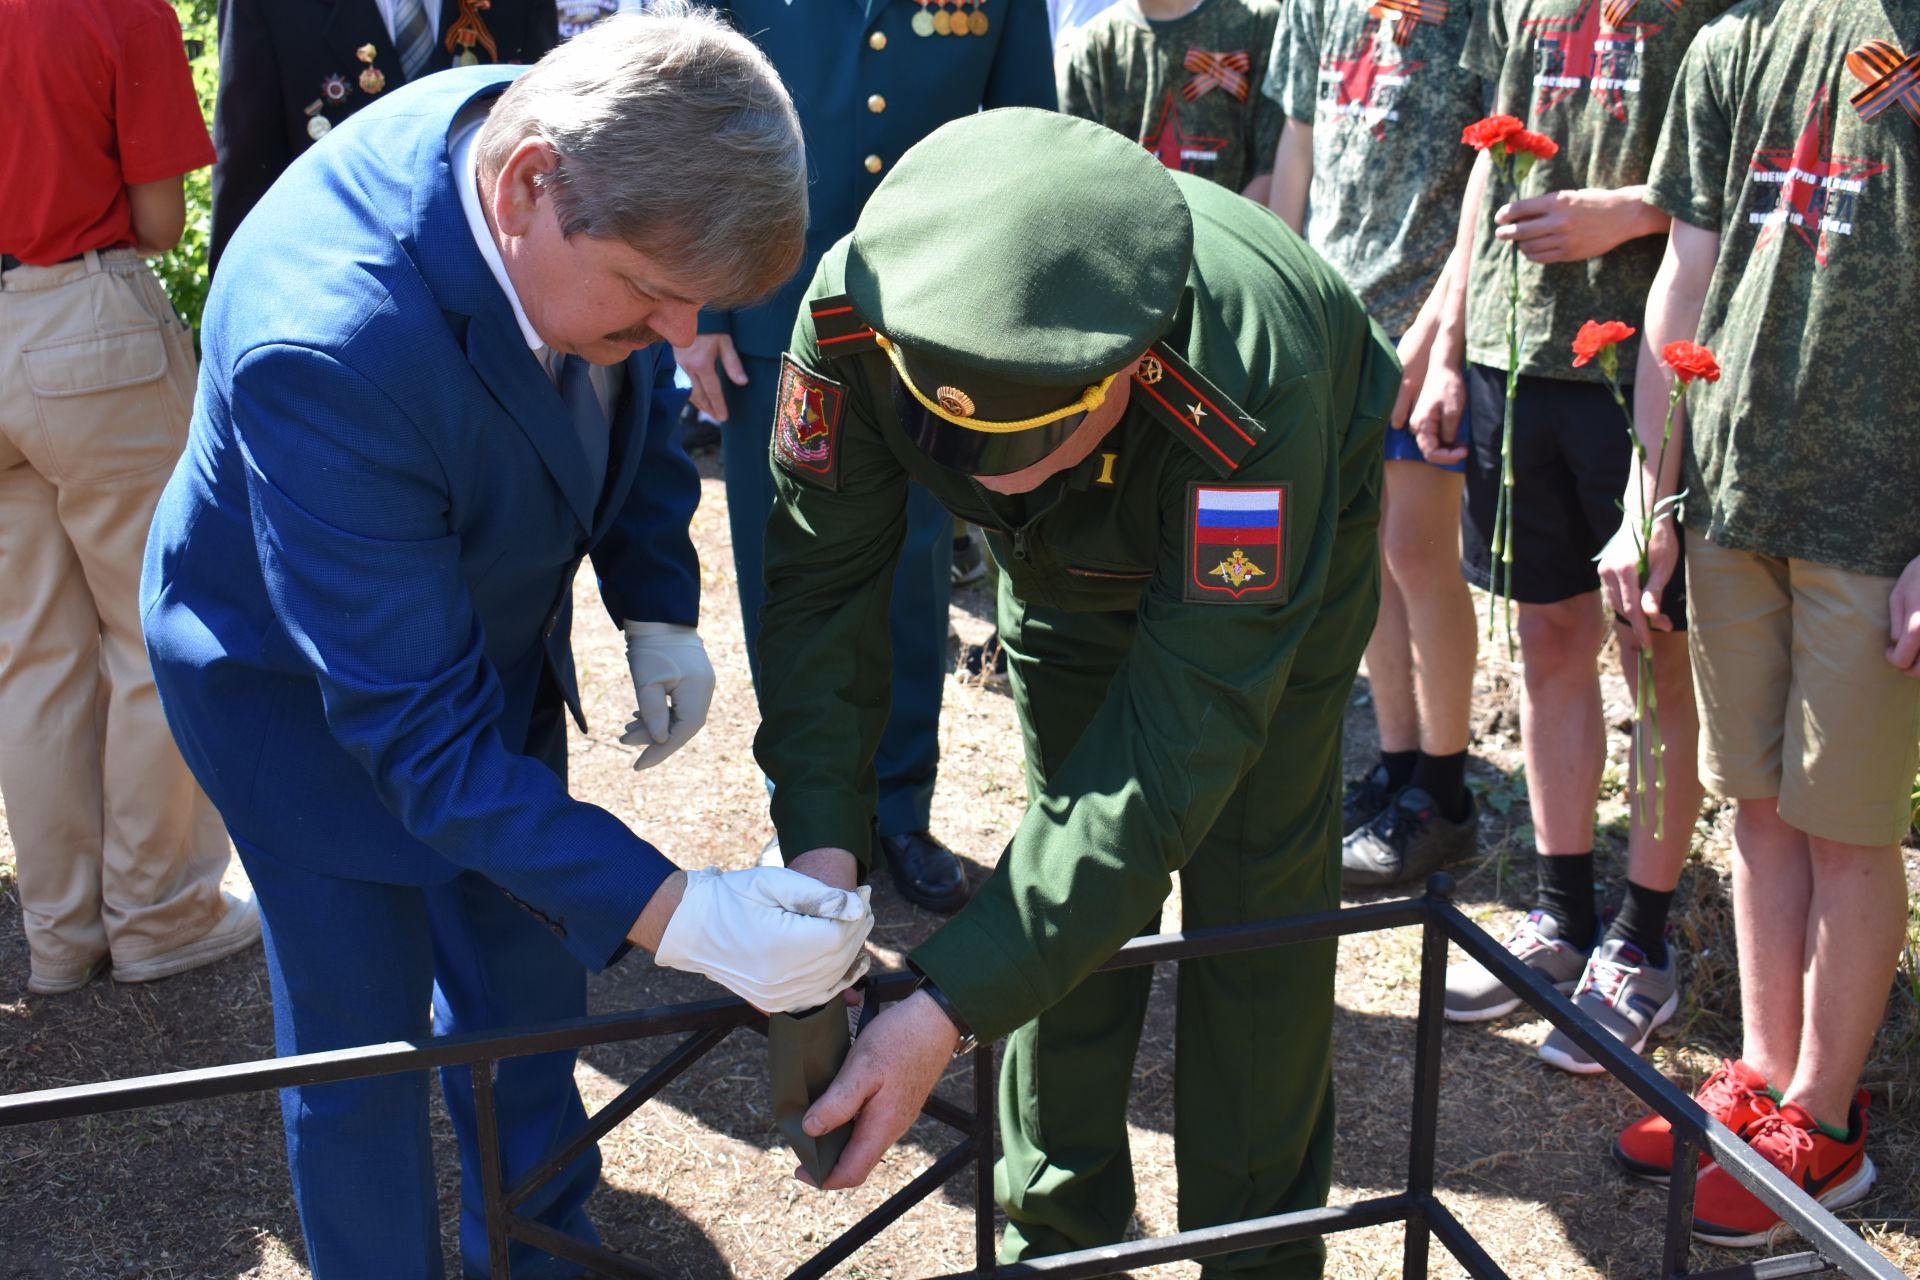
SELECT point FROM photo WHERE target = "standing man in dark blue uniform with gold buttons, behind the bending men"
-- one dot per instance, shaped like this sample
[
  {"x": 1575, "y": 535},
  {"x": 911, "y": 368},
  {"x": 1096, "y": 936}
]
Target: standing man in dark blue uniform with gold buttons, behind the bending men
[{"x": 871, "y": 80}]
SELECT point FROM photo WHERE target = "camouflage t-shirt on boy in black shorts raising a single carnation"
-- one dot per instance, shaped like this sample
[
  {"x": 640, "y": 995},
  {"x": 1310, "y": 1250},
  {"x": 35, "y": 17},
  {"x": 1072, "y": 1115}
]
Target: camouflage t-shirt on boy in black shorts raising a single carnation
[{"x": 1595, "y": 76}]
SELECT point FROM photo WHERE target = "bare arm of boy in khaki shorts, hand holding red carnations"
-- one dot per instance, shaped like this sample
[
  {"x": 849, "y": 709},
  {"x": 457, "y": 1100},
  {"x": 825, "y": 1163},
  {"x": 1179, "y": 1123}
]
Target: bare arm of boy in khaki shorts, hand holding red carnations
[{"x": 1673, "y": 316}]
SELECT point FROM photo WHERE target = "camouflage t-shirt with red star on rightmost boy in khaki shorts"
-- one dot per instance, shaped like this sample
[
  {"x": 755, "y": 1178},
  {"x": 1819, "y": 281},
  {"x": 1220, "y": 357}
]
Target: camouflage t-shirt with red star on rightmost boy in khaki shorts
[{"x": 1808, "y": 446}]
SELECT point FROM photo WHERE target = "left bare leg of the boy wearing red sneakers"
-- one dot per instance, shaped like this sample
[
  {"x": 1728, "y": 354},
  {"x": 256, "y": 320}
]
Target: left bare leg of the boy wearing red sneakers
[{"x": 1773, "y": 895}]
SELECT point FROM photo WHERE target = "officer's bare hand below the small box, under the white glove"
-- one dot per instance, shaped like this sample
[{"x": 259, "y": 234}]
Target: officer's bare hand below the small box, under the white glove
[{"x": 882, "y": 1085}]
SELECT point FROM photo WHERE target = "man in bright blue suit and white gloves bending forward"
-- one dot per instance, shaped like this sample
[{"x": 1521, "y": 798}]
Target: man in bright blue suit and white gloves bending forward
[{"x": 433, "y": 385}]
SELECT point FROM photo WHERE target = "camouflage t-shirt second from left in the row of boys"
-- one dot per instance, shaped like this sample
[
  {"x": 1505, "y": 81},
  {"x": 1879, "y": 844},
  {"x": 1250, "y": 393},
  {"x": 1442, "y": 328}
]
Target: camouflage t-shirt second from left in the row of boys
[{"x": 1387, "y": 103}]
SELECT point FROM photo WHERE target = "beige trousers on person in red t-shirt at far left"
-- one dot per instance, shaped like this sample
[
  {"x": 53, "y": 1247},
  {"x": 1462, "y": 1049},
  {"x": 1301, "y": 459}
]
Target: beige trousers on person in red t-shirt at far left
[{"x": 116, "y": 847}]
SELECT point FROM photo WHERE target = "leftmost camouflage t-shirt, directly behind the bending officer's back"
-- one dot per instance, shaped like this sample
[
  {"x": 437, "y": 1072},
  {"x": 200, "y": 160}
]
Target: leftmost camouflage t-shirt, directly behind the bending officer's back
[{"x": 1188, "y": 89}]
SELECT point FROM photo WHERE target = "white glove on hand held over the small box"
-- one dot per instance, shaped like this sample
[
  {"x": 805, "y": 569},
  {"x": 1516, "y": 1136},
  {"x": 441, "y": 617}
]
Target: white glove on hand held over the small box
[{"x": 780, "y": 939}]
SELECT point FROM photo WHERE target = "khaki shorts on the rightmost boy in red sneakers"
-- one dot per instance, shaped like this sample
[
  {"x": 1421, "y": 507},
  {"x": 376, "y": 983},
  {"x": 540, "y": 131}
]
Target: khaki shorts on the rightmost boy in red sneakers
[{"x": 1796, "y": 696}]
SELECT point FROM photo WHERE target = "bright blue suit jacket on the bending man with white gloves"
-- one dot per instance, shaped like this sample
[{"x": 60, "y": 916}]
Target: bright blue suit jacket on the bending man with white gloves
[{"x": 358, "y": 581}]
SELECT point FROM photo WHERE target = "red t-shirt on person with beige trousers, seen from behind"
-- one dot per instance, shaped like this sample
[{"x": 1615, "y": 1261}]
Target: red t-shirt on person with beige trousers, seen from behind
[{"x": 99, "y": 99}]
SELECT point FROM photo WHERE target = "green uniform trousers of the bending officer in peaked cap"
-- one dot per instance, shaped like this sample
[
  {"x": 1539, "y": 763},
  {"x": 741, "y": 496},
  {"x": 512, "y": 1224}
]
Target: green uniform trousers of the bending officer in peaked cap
[{"x": 1253, "y": 1097}]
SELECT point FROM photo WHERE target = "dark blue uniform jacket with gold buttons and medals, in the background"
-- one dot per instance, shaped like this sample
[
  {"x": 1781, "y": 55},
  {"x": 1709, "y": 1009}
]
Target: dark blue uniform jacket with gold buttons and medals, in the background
[{"x": 828, "y": 59}]
